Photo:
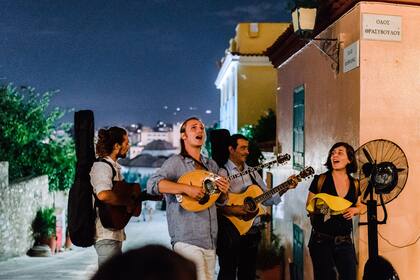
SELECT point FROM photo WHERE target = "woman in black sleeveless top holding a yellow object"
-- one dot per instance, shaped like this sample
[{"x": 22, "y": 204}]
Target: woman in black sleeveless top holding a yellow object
[{"x": 333, "y": 201}]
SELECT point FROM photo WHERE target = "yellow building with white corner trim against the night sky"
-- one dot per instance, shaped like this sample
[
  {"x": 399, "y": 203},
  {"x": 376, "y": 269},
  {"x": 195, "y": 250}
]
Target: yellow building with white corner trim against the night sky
[{"x": 247, "y": 80}]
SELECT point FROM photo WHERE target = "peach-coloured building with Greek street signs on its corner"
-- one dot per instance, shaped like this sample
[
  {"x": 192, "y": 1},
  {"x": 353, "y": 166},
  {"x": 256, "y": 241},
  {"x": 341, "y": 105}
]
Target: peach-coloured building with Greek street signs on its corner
[{"x": 371, "y": 93}]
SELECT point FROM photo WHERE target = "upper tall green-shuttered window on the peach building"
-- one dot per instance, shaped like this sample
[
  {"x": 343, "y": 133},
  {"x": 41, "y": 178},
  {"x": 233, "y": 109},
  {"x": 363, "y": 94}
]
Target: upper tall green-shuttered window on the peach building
[{"x": 299, "y": 128}]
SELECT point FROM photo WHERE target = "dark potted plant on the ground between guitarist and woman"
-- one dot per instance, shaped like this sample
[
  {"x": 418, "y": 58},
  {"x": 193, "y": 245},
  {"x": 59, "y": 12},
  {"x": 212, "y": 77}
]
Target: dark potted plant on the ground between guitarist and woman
[{"x": 270, "y": 259}]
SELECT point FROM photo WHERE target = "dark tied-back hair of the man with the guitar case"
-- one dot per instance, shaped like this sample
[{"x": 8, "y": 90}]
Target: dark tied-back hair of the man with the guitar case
[{"x": 107, "y": 138}]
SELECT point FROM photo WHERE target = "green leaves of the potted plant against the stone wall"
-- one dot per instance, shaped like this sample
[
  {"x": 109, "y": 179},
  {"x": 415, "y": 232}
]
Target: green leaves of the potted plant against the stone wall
[{"x": 43, "y": 226}]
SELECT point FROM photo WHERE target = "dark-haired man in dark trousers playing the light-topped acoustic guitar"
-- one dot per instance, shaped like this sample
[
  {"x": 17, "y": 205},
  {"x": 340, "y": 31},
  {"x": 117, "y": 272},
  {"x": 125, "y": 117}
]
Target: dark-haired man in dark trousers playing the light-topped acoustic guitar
[{"x": 237, "y": 253}]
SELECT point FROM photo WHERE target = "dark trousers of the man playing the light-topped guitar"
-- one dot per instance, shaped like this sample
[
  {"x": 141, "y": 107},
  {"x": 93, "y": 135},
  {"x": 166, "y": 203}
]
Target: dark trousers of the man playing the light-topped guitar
[{"x": 237, "y": 254}]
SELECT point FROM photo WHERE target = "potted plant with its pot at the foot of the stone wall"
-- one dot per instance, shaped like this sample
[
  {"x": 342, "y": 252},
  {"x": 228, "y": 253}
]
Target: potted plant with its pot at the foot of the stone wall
[{"x": 43, "y": 228}]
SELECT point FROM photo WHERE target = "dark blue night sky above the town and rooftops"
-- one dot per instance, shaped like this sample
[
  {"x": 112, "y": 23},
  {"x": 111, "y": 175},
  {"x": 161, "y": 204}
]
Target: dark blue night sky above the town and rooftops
[{"x": 128, "y": 61}]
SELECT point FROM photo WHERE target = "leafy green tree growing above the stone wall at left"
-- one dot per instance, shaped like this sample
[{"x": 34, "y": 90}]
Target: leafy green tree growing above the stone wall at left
[{"x": 29, "y": 140}]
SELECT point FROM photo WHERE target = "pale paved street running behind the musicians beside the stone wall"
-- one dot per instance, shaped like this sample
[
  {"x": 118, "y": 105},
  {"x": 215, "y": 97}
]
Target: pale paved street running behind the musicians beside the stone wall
[{"x": 80, "y": 263}]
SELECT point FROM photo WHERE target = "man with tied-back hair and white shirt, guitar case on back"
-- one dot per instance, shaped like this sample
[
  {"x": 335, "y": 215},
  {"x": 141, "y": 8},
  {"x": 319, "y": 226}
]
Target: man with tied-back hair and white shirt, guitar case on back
[{"x": 112, "y": 144}]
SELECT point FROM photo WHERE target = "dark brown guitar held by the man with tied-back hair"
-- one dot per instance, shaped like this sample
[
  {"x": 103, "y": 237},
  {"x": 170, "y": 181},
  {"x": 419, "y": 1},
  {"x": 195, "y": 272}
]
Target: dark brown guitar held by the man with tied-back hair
[{"x": 117, "y": 216}]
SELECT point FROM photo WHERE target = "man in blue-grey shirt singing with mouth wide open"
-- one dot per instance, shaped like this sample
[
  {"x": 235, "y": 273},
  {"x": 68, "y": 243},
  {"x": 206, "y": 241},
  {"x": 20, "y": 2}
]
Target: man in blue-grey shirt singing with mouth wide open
[{"x": 193, "y": 234}]
